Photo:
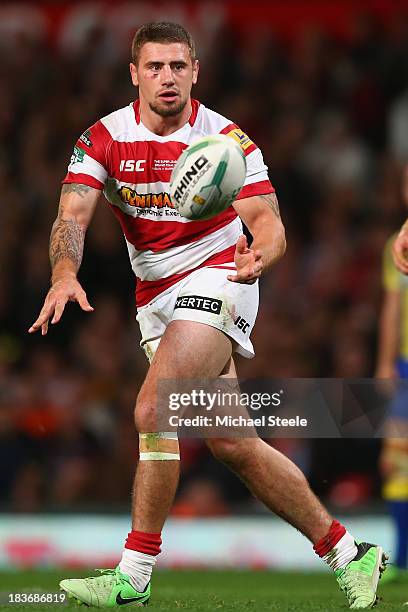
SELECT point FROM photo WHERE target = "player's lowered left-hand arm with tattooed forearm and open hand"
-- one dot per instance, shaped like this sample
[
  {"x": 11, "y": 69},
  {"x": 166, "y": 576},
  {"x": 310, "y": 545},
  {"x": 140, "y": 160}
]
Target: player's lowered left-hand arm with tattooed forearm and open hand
[{"x": 77, "y": 205}]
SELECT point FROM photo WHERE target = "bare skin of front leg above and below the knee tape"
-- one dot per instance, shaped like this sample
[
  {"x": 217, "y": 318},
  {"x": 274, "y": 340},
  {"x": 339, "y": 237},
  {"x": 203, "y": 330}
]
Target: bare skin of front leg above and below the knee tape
[{"x": 186, "y": 346}]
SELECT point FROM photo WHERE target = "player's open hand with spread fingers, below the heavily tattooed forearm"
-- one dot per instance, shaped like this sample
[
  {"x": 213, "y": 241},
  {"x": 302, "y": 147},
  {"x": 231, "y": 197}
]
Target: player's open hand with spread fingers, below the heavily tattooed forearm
[{"x": 66, "y": 289}]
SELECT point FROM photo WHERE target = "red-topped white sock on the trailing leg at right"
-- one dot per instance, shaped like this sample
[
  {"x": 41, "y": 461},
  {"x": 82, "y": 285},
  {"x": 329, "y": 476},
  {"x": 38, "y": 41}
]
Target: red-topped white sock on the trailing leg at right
[{"x": 337, "y": 548}]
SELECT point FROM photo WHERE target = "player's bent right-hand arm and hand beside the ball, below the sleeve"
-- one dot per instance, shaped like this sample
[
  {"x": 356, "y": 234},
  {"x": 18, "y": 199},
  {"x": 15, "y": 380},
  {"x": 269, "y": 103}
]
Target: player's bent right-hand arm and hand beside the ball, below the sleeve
[{"x": 262, "y": 217}]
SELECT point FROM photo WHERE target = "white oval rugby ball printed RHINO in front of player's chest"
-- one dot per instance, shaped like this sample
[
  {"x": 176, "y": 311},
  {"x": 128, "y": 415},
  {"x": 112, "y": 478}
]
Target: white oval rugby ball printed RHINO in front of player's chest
[{"x": 207, "y": 177}]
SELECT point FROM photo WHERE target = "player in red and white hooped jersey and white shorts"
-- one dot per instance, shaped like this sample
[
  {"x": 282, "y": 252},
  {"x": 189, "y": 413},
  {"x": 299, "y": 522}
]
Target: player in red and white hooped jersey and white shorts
[{"x": 129, "y": 154}]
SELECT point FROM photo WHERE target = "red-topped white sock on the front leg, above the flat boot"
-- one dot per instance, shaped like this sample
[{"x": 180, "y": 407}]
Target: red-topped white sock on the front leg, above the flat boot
[{"x": 139, "y": 557}]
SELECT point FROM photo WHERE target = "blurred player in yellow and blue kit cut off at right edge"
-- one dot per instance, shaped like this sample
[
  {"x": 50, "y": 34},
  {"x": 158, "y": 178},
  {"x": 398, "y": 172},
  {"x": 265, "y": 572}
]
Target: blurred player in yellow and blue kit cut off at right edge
[{"x": 393, "y": 364}]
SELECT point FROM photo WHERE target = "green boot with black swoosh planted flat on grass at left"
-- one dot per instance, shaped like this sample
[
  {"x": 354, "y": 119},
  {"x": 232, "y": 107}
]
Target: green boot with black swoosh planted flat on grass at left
[{"x": 110, "y": 589}]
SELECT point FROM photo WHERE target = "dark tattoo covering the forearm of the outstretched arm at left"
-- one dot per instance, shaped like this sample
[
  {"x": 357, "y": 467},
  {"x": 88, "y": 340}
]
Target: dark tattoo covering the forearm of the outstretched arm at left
[{"x": 66, "y": 241}]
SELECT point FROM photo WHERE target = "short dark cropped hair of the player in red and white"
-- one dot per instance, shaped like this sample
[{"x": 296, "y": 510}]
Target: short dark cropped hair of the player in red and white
[{"x": 161, "y": 32}]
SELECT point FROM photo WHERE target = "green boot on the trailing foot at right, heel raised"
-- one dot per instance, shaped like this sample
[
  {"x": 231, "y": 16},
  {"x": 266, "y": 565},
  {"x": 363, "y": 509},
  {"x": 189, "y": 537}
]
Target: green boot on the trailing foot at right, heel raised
[{"x": 359, "y": 579}]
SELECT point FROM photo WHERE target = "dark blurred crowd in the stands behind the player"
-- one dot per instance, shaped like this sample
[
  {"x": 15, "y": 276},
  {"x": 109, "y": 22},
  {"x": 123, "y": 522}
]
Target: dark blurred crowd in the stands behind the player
[{"x": 331, "y": 118}]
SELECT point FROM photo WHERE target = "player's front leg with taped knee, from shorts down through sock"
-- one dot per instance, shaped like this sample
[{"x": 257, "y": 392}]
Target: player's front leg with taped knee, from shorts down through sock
[{"x": 203, "y": 352}]
